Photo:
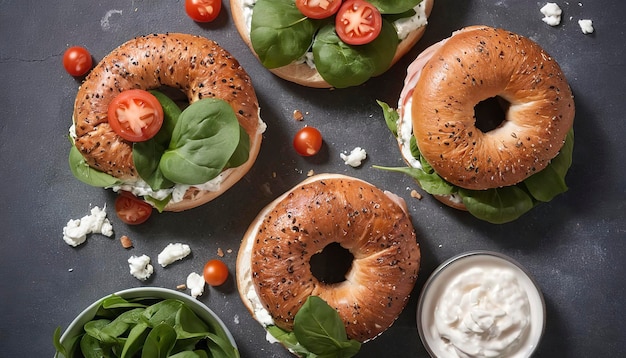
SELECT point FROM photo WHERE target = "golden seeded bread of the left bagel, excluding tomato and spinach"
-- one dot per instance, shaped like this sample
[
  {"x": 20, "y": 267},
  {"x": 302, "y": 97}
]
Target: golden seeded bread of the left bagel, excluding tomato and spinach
[{"x": 196, "y": 66}]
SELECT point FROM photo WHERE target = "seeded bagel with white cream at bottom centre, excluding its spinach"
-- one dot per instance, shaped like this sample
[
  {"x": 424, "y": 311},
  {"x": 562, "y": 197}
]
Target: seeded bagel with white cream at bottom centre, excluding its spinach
[{"x": 274, "y": 275}]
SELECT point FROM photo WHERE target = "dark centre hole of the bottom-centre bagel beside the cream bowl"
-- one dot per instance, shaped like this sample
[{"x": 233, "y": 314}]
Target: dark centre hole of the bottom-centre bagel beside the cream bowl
[{"x": 331, "y": 264}]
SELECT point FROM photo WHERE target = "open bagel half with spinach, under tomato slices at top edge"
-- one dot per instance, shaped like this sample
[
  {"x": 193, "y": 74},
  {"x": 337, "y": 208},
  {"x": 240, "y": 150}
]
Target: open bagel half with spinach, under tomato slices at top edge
[{"x": 309, "y": 52}]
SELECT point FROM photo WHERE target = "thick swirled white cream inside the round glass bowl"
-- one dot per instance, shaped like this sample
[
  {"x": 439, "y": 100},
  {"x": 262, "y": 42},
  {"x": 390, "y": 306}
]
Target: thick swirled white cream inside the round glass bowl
[{"x": 482, "y": 306}]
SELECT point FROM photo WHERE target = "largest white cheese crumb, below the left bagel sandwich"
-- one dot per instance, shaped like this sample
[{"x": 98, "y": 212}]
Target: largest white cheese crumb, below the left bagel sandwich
[{"x": 76, "y": 231}]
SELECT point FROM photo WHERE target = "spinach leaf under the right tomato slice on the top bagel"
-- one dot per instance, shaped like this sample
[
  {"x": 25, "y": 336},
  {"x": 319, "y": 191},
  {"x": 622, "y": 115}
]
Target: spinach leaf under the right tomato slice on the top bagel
[{"x": 343, "y": 65}]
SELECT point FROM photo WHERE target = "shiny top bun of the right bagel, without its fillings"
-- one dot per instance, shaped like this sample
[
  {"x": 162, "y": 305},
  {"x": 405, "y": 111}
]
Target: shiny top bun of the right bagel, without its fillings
[{"x": 476, "y": 64}]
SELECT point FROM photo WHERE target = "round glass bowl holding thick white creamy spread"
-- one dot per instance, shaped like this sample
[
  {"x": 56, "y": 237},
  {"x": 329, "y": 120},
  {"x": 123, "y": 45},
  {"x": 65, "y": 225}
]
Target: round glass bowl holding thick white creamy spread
[{"x": 479, "y": 262}]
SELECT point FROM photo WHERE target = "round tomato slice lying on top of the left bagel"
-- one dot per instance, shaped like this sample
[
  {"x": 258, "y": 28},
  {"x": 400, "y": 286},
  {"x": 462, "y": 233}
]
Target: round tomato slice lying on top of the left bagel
[{"x": 136, "y": 115}]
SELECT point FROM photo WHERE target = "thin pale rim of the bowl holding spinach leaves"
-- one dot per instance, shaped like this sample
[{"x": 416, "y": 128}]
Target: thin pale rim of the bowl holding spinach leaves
[{"x": 76, "y": 326}]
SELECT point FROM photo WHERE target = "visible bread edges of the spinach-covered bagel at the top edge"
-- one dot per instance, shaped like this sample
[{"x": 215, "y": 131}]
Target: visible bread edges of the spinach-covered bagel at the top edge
[{"x": 304, "y": 73}]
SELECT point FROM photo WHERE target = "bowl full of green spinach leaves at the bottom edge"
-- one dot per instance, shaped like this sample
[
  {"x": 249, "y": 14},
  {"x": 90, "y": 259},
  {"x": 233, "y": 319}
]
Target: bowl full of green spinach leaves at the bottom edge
[{"x": 149, "y": 322}]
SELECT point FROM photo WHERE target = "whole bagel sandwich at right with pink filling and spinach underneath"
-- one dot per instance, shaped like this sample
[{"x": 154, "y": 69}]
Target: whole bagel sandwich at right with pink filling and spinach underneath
[{"x": 476, "y": 168}]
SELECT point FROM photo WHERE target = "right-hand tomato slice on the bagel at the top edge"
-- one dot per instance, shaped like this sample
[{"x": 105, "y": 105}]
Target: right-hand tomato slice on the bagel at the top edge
[{"x": 358, "y": 22}]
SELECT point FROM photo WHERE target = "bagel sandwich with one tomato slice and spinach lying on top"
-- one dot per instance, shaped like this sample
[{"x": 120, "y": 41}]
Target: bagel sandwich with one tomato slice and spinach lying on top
[{"x": 203, "y": 147}]
